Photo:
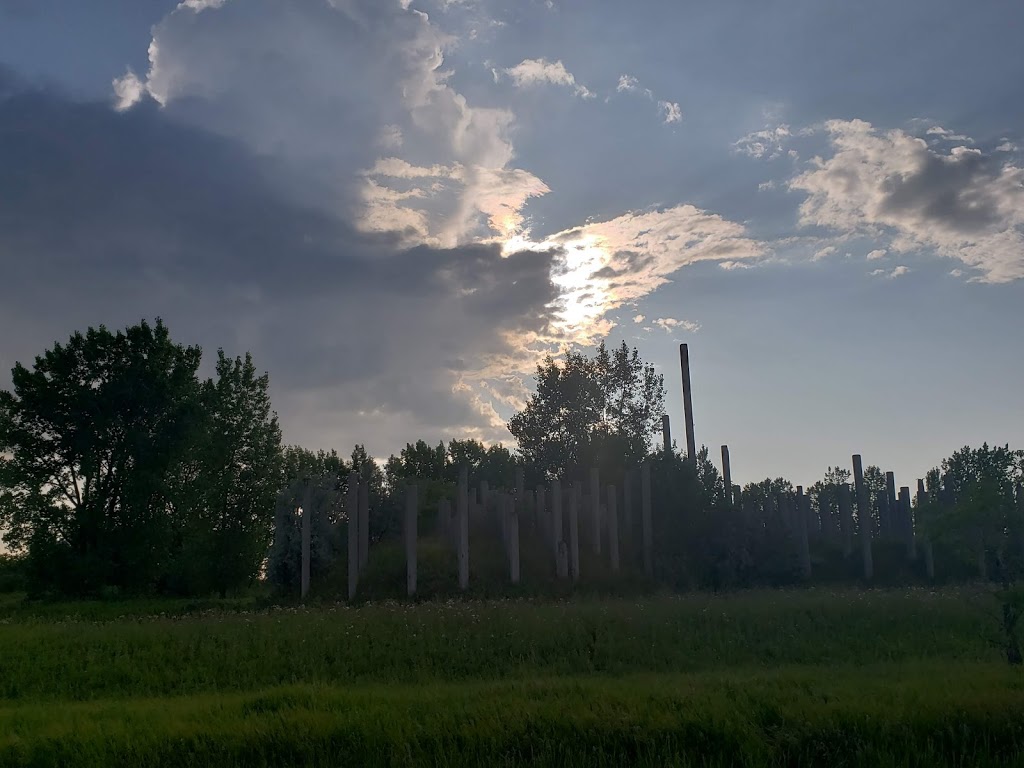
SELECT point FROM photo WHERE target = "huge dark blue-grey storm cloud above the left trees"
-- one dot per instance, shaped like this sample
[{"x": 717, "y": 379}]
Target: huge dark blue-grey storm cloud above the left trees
[{"x": 109, "y": 218}]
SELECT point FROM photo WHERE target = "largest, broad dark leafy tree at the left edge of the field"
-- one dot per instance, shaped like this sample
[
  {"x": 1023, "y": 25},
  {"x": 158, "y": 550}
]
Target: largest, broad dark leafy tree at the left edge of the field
[{"x": 93, "y": 434}]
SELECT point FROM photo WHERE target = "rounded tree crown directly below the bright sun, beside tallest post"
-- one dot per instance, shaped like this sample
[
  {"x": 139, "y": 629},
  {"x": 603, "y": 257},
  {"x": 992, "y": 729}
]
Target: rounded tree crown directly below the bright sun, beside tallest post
[{"x": 599, "y": 411}]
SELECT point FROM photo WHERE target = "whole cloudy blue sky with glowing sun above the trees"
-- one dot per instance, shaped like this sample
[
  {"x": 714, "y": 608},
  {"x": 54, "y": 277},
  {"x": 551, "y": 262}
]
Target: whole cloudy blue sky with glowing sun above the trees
[{"x": 401, "y": 206}]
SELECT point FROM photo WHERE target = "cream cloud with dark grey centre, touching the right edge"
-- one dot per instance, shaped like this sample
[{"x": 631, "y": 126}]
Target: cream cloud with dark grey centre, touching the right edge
[{"x": 890, "y": 186}]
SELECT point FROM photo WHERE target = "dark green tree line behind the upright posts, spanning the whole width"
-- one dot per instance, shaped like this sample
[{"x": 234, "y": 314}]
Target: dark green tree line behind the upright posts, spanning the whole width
[{"x": 123, "y": 472}]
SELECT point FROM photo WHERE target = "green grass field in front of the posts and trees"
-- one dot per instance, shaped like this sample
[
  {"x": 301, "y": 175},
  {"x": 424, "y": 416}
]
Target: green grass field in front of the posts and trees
[{"x": 762, "y": 678}]
